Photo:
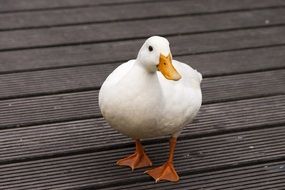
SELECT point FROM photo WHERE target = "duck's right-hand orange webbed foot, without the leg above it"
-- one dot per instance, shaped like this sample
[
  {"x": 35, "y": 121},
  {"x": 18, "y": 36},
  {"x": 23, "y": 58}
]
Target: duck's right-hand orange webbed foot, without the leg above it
[{"x": 164, "y": 172}]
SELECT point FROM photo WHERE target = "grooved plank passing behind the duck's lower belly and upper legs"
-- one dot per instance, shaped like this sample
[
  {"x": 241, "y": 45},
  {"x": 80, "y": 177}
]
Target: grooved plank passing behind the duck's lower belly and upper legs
[{"x": 86, "y": 135}]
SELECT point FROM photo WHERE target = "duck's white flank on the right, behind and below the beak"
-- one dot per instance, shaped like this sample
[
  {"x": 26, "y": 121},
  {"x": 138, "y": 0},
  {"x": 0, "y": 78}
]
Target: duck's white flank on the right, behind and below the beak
[{"x": 183, "y": 98}]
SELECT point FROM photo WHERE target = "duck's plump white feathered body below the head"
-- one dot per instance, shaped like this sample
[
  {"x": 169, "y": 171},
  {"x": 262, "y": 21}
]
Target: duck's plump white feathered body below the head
[{"x": 143, "y": 104}]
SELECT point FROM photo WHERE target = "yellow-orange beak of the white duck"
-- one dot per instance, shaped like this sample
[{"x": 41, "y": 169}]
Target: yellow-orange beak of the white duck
[{"x": 166, "y": 68}]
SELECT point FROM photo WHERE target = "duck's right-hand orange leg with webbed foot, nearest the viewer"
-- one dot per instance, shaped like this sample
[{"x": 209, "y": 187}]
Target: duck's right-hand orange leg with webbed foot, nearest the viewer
[{"x": 166, "y": 171}]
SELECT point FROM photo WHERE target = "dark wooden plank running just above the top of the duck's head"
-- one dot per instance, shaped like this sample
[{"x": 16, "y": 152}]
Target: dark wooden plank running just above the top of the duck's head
[{"x": 137, "y": 29}]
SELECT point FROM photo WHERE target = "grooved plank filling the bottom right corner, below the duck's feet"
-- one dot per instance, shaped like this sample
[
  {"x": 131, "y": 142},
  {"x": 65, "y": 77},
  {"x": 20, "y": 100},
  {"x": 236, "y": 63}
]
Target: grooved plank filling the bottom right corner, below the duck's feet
[{"x": 260, "y": 176}]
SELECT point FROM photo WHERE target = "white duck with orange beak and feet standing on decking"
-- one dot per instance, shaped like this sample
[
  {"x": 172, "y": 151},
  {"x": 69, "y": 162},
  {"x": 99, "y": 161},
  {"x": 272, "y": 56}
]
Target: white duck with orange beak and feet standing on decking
[{"x": 151, "y": 96}]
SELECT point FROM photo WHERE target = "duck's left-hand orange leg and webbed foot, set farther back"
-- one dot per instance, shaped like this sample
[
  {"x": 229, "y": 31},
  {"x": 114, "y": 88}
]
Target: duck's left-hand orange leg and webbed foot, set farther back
[{"x": 137, "y": 160}]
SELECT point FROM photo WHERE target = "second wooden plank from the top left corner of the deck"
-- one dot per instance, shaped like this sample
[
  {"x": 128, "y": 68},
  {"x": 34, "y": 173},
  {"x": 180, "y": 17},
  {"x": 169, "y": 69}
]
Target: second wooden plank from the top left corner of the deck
[{"x": 126, "y": 12}]
